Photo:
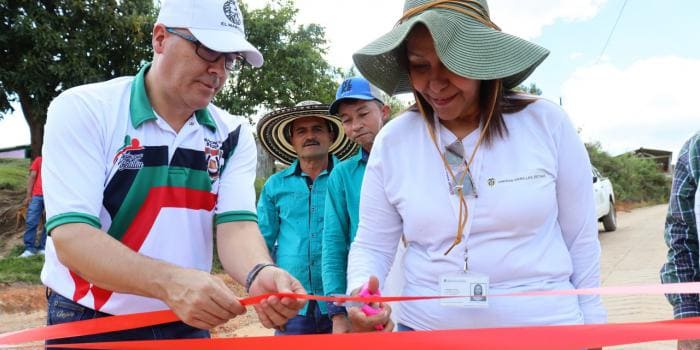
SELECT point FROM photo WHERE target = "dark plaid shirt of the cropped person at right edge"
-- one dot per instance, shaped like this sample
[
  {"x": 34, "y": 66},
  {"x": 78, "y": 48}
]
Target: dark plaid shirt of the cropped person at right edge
[{"x": 681, "y": 232}]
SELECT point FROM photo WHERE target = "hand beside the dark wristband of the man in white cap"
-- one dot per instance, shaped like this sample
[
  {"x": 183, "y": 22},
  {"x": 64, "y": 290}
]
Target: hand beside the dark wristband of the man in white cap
[{"x": 275, "y": 312}]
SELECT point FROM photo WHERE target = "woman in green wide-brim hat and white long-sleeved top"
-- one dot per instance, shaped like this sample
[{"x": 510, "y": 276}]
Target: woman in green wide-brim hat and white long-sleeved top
[{"x": 491, "y": 188}]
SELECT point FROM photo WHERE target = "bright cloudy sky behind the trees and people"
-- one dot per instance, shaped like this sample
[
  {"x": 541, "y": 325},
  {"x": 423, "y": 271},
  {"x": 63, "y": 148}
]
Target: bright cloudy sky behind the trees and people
[{"x": 639, "y": 90}]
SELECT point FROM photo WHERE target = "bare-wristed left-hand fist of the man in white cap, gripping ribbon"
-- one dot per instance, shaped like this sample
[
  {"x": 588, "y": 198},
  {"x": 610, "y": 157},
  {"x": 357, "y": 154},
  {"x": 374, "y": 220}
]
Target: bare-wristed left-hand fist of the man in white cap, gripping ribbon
[{"x": 201, "y": 300}]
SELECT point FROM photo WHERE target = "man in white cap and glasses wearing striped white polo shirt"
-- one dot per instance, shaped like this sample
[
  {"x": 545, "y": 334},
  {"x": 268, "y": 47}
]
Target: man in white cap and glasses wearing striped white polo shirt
[{"x": 137, "y": 171}]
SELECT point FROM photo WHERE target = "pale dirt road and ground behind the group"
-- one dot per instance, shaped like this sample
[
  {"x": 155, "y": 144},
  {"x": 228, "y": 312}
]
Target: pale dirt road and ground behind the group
[{"x": 632, "y": 255}]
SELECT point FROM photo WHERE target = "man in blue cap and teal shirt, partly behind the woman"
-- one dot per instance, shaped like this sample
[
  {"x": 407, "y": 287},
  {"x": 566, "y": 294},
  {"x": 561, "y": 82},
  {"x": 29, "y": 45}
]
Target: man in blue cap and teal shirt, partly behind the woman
[{"x": 363, "y": 113}]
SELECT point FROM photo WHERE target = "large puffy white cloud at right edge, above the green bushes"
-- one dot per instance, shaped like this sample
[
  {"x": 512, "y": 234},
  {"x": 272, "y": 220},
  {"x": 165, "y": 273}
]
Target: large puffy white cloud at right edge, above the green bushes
[{"x": 652, "y": 103}]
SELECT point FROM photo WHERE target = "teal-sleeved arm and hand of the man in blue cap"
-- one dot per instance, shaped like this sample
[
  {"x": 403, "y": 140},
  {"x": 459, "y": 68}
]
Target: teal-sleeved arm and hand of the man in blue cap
[{"x": 335, "y": 247}]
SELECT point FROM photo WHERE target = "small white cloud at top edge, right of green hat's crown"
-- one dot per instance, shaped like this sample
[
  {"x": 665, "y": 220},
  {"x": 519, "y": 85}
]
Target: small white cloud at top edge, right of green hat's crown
[{"x": 528, "y": 18}]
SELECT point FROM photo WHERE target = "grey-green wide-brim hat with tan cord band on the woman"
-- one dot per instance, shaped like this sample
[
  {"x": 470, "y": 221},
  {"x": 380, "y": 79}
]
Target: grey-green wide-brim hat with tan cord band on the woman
[{"x": 466, "y": 40}]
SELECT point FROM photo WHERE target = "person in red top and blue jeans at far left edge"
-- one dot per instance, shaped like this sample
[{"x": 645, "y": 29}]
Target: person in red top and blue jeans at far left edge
[{"x": 34, "y": 202}]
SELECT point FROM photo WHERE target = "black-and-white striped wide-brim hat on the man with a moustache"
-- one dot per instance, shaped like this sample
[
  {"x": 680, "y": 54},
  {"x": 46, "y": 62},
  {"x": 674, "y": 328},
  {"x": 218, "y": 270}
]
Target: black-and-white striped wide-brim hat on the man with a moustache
[{"x": 274, "y": 131}]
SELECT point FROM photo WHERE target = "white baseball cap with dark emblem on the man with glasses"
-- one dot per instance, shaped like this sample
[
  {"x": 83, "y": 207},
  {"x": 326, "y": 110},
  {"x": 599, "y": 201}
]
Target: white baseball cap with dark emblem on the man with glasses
[{"x": 218, "y": 24}]
